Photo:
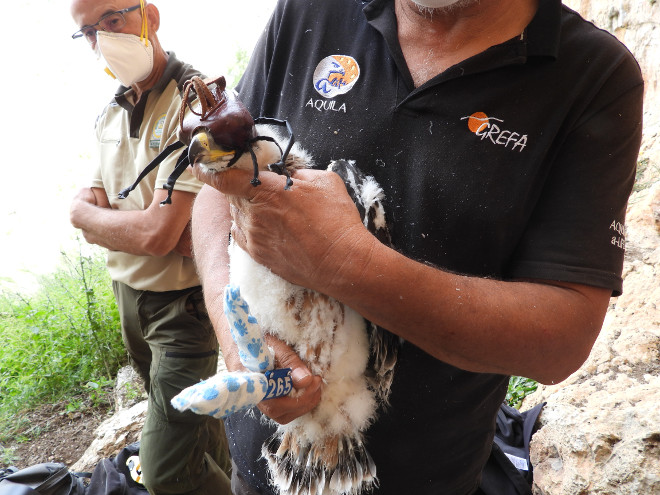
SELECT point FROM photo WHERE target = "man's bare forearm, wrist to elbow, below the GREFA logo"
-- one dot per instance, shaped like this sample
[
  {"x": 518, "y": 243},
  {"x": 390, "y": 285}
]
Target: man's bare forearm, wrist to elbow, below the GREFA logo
[{"x": 542, "y": 330}]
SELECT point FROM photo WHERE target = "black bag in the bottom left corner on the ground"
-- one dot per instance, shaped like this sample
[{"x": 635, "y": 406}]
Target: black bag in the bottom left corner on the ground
[{"x": 48, "y": 478}]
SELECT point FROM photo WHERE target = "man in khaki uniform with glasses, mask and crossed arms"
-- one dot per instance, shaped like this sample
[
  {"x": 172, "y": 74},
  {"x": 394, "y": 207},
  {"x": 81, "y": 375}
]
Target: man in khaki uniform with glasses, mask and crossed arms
[{"x": 165, "y": 325}]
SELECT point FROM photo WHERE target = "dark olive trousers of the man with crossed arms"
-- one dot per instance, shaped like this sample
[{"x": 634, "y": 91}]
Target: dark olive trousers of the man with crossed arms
[{"x": 171, "y": 344}]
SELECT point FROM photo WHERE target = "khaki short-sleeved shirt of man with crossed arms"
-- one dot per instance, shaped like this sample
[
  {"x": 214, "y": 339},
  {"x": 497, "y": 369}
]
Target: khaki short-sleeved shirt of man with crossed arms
[{"x": 129, "y": 138}]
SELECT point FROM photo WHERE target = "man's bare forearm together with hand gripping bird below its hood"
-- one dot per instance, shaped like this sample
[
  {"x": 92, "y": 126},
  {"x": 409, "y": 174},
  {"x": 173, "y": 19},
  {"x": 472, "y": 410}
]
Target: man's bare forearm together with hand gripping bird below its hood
[{"x": 539, "y": 329}]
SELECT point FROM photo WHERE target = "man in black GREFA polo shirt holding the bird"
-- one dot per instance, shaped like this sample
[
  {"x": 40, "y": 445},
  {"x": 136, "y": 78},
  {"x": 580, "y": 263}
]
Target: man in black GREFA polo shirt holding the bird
[{"x": 505, "y": 135}]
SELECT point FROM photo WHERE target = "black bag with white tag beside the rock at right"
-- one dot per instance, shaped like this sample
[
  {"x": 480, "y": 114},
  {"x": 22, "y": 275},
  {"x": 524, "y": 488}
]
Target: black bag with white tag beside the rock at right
[{"x": 508, "y": 470}]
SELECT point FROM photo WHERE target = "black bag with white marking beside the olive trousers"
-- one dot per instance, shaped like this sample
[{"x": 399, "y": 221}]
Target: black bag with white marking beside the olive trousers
[{"x": 113, "y": 476}]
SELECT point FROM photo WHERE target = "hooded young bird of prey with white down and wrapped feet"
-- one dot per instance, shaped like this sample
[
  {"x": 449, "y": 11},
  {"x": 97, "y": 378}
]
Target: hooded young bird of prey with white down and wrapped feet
[{"x": 323, "y": 451}]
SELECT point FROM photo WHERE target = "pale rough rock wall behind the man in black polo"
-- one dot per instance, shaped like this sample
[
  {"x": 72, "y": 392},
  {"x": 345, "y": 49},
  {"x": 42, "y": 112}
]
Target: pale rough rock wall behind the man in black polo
[{"x": 600, "y": 429}]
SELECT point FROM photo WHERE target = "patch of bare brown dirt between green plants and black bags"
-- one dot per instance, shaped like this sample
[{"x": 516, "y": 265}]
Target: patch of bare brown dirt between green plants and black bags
[{"x": 53, "y": 435}]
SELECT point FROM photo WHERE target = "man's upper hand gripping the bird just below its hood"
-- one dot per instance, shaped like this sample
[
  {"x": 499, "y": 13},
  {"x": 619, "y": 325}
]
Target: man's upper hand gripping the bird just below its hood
[{"x": 309, "y": 235}]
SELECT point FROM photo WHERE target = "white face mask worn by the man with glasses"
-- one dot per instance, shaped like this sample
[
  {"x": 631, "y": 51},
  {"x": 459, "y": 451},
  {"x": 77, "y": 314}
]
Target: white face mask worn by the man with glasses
[{"x": 128, "y": 57}]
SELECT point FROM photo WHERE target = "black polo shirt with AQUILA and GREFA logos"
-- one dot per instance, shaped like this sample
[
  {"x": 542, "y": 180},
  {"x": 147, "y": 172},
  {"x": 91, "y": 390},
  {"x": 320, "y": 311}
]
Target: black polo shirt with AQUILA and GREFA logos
[{"x": 516, "y": 163}]
